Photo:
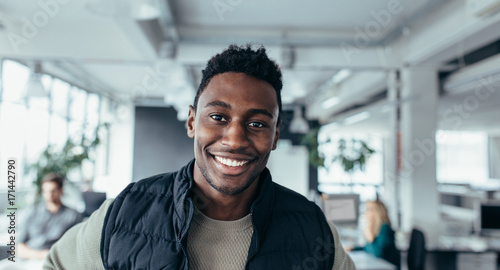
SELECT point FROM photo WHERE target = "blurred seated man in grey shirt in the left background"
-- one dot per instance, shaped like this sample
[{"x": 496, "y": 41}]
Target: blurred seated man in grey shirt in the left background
[{"x": 47, "y": 222}]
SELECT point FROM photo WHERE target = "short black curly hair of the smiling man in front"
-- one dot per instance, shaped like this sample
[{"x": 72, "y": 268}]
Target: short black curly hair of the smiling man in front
[{"x": 243, "y": 59}]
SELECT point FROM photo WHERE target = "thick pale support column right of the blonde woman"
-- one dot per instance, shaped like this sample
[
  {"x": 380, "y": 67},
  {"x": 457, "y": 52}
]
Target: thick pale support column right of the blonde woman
[{"x": 417, "y": 172}]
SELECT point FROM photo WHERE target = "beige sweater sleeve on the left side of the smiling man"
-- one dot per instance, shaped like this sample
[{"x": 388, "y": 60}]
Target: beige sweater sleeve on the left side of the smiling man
[{"x": 79, "y": 248}]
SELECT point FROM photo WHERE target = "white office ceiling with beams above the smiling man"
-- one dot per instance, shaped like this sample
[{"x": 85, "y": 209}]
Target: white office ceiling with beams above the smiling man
[{"x": 101, "y": 46}]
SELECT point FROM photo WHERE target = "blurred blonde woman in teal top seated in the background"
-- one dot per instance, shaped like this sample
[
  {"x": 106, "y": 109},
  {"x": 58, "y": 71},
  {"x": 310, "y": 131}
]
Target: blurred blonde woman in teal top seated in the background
[{"x": 379, "y": 234}]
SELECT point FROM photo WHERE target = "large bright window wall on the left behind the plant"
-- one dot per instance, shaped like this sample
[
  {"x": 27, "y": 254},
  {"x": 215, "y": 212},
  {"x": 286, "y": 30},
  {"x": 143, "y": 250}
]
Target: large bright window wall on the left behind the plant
[{"x": 30, "y": 125}]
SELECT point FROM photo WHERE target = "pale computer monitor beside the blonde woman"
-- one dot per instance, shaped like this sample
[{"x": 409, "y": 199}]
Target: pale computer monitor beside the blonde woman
[{"x": 342, "y": 209}]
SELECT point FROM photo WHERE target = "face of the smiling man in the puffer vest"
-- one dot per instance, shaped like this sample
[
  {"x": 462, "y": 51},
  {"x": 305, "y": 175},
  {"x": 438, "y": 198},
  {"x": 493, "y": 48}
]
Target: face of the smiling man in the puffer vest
[{"x": 234, "y": 129}]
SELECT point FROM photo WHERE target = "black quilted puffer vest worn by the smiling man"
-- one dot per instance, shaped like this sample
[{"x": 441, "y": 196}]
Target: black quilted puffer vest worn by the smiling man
[{"x": 146, "y": 227}]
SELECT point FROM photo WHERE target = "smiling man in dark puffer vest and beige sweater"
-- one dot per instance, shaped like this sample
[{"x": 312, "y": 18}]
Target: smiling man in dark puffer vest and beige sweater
[{"x": 222, "y": 210}]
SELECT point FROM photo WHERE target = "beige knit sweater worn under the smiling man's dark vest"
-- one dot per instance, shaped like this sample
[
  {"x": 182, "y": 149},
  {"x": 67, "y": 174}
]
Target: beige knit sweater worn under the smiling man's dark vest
[{"x": 212, "y": 244}]
